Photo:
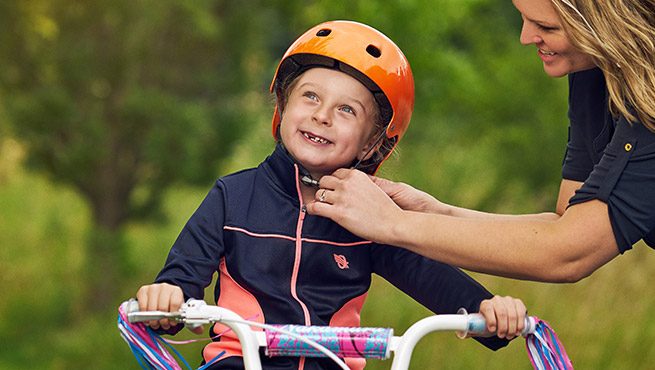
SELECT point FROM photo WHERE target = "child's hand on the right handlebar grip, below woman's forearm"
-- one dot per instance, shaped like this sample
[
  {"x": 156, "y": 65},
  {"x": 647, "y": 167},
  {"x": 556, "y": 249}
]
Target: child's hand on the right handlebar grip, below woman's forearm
[{"x": 504, "y": 315}]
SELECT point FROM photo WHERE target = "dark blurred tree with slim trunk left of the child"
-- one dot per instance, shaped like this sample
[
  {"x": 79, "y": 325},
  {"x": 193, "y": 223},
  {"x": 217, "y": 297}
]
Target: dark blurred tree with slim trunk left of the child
[{"x": 121, "y": 99}]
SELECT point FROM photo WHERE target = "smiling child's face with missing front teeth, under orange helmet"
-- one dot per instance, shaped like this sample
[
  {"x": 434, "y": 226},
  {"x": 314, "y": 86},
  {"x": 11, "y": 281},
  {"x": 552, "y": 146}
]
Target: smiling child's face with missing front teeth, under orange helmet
[{"x": 328, "y": 121}]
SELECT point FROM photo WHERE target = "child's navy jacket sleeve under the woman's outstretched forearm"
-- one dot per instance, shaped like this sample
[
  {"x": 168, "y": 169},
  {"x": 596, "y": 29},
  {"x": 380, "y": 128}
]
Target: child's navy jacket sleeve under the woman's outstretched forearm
[{"x": 441, "y": 288}]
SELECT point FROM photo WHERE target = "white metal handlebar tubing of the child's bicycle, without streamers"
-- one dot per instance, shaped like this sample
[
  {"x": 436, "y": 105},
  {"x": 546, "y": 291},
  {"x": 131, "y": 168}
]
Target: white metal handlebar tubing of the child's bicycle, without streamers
[{"x": 197, "y": 312}]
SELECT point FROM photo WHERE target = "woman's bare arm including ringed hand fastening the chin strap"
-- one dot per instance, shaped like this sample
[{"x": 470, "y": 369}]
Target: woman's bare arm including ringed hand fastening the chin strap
[{"x": 553, "y": 249}]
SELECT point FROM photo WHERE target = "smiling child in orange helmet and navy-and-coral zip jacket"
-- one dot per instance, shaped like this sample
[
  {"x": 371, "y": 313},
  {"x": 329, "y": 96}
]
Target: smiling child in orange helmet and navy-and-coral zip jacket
[{"x": 345, "y": 96}]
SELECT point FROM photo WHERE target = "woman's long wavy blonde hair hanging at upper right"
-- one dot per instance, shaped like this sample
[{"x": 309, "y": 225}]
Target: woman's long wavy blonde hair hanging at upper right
[{"x": 619, "y": 35}]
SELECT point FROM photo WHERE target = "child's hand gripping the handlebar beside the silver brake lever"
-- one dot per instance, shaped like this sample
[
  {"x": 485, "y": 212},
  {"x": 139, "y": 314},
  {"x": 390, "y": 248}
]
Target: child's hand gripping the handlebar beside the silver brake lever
[{"x": 162, "y": 297}]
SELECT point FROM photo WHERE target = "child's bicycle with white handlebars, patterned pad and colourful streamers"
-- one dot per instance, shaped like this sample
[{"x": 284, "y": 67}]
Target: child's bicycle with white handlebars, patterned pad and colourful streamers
[{"x": 545, "y": 350}]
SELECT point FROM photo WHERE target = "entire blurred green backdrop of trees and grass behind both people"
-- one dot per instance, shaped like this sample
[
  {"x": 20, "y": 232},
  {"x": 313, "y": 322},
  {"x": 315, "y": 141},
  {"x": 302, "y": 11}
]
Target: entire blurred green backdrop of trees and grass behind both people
[{"x": 116, "y": 117}]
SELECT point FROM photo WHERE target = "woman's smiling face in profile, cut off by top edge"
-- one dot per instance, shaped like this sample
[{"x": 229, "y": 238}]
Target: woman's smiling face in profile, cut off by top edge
[{"x": 542, "y": 27}]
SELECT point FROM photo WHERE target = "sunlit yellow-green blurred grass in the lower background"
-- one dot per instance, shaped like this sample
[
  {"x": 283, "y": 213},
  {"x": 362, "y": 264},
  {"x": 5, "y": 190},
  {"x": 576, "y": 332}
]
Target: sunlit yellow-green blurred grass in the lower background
[{"x": 604, "y": 321}]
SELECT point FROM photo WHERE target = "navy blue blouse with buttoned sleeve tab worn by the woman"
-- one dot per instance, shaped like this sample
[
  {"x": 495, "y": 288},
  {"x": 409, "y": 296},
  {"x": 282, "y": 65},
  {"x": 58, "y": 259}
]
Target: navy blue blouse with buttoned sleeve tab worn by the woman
[{"x": 613, "y": 157}]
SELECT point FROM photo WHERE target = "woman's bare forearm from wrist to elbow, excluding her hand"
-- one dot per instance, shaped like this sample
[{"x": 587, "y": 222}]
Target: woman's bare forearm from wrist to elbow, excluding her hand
[{"x": 565, "y": 250}]
